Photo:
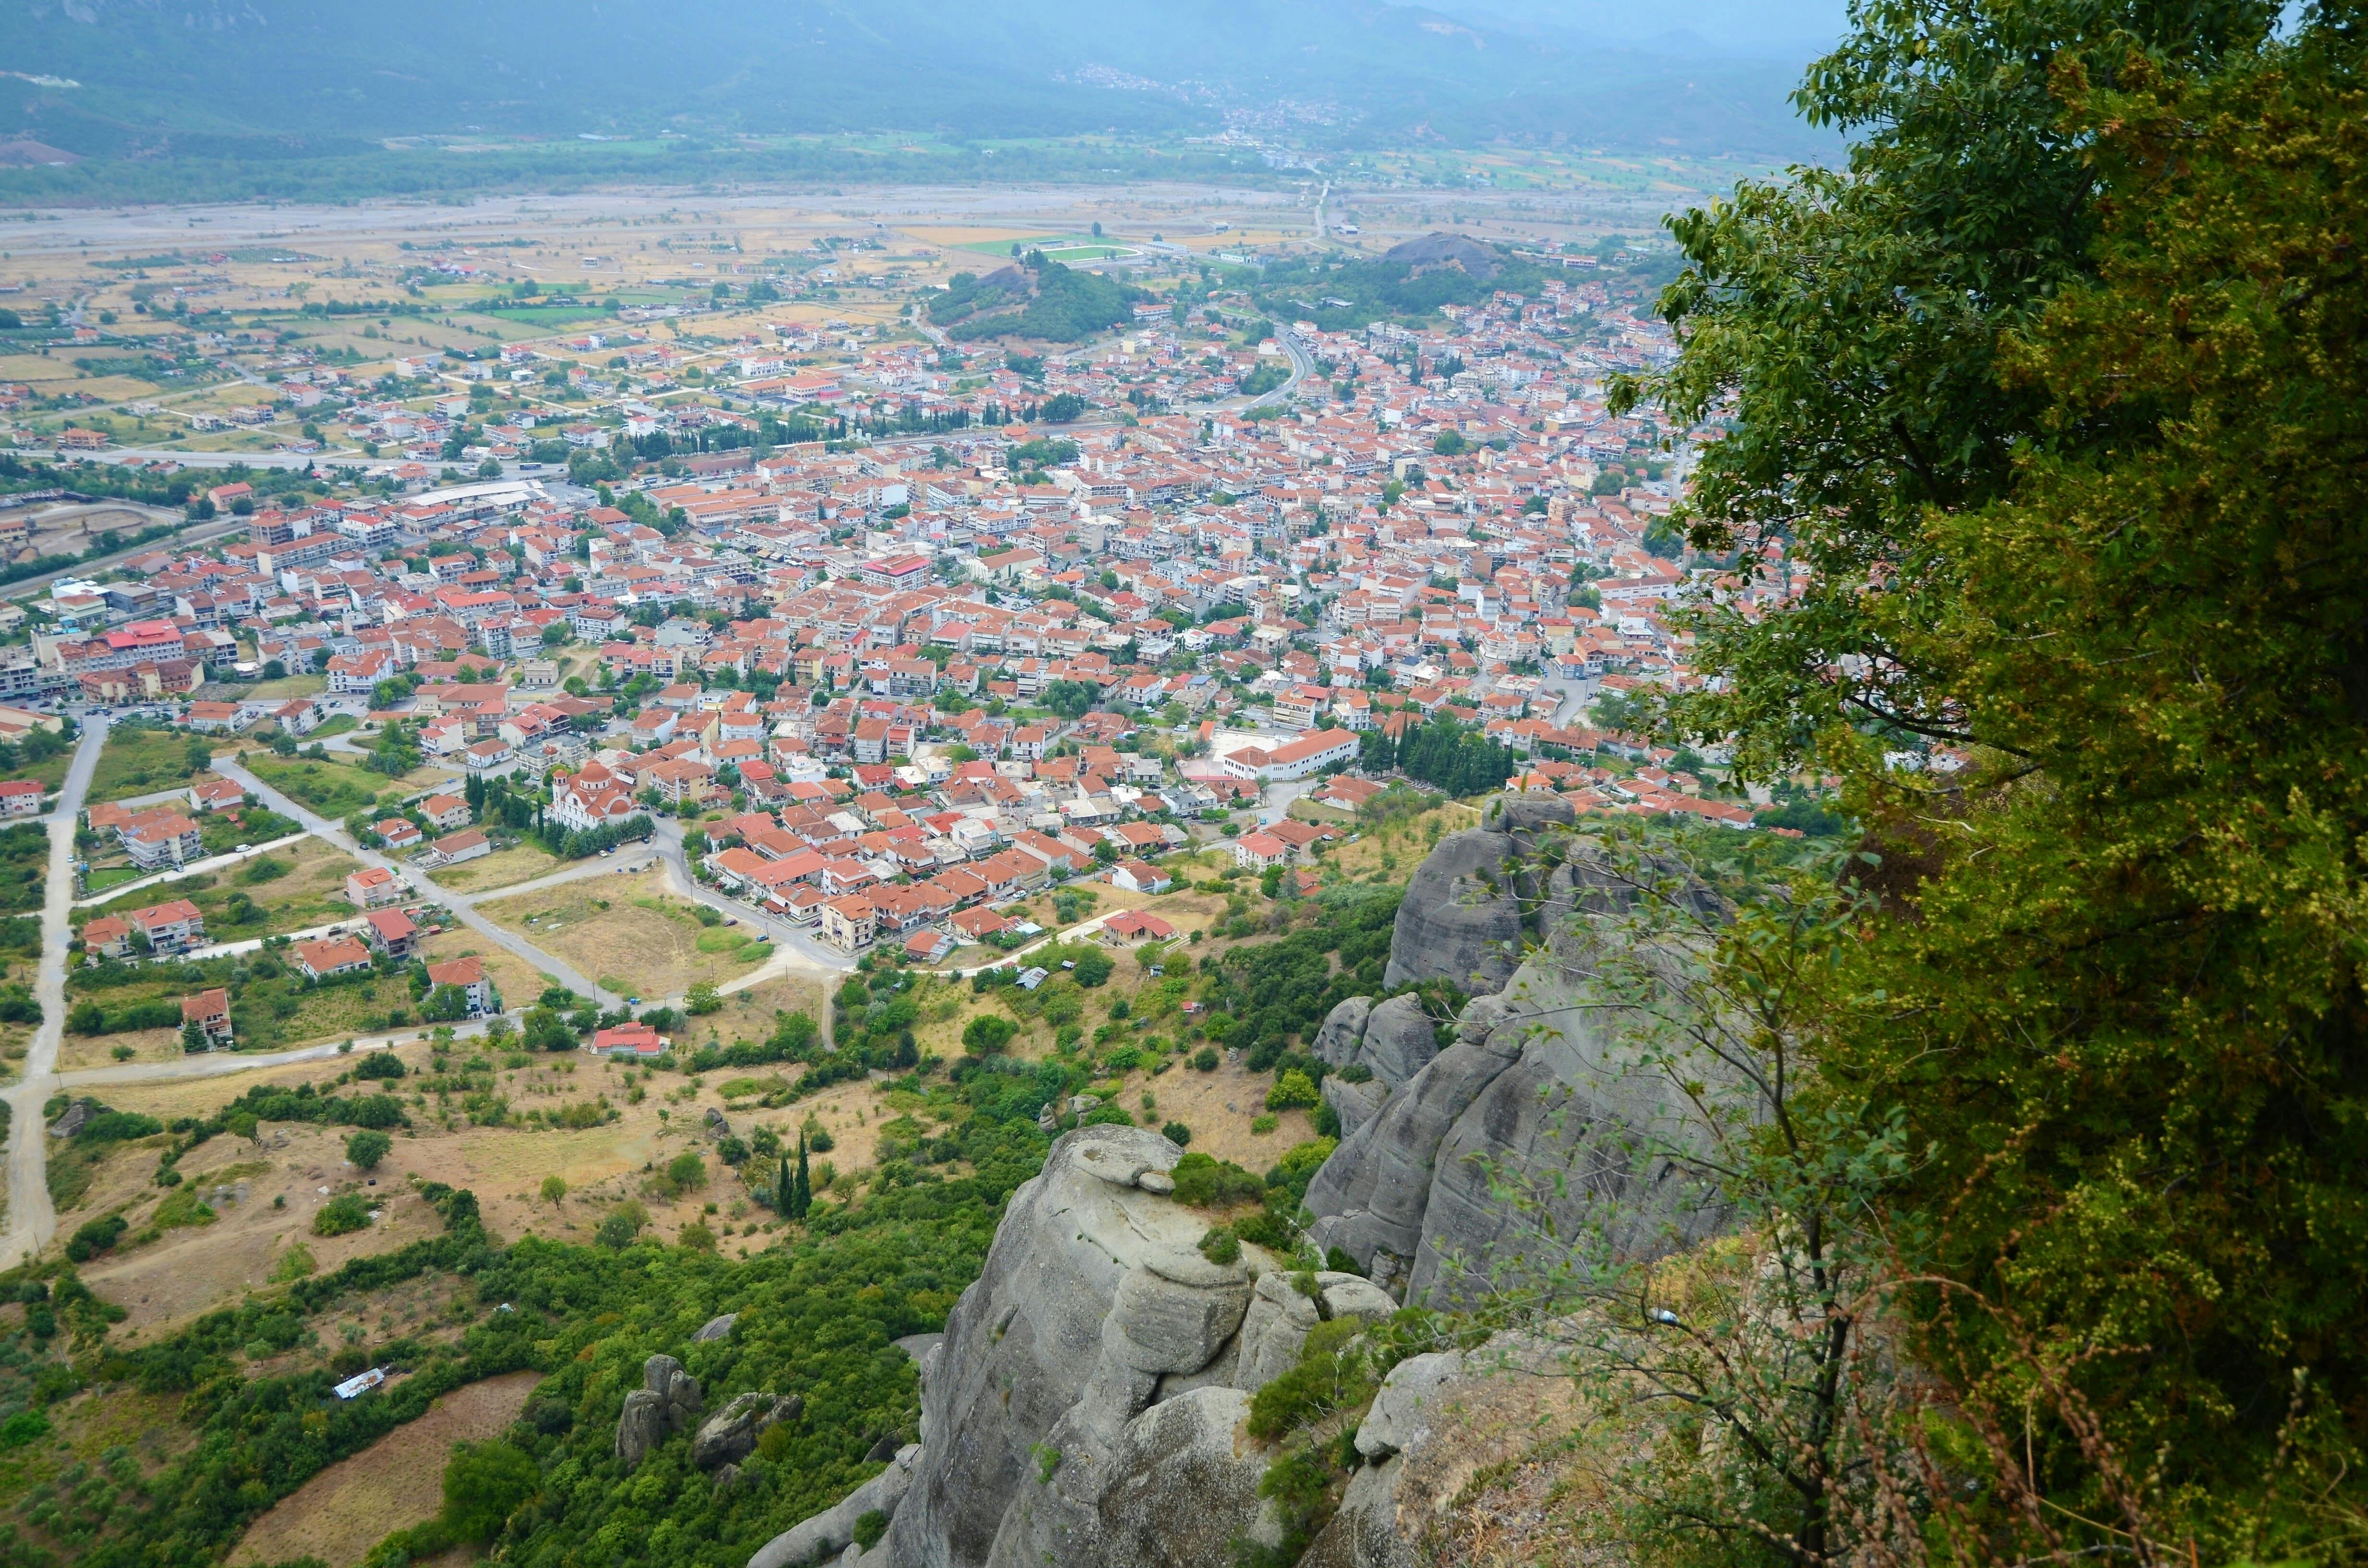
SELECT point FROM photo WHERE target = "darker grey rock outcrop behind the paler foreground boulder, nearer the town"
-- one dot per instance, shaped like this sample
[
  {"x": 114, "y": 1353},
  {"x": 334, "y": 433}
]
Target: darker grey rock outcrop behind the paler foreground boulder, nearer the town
[{"x": 1533, "y": 1091}]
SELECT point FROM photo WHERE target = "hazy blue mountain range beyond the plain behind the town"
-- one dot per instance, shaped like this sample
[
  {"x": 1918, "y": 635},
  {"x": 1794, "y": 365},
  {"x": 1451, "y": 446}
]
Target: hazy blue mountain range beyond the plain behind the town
[{"x": 1034, "y": 68}]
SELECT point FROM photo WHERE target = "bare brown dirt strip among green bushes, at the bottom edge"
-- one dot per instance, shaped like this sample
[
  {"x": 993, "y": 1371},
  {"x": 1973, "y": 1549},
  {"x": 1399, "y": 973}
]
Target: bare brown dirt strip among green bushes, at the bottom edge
[{"x": 390, "y": 1486}]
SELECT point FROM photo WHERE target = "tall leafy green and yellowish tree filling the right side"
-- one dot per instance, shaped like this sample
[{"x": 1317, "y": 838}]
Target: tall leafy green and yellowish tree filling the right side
[{"x": 2057, "y": 409}]
